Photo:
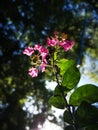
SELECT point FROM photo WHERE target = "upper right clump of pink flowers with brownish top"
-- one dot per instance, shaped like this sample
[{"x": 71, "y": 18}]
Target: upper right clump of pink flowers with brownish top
[{"x": 60, "y": 40}]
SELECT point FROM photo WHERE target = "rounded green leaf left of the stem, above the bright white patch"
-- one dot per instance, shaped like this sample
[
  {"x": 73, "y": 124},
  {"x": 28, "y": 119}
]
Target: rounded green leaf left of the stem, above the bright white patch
[{"x": 58, "y": 102}]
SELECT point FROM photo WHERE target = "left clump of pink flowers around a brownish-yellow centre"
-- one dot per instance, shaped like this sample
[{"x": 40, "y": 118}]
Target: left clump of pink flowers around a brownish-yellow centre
[{"x": 39, "y": 59}]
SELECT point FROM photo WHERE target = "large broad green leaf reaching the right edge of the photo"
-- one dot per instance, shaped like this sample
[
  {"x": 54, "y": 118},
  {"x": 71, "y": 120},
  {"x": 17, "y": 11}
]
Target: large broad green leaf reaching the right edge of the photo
[{"x": 86, "y": 92}]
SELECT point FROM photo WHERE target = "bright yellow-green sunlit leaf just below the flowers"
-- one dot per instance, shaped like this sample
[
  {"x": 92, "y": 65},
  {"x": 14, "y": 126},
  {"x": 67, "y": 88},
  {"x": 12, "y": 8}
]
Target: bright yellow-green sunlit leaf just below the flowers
[{"x": 64, "y": 64}]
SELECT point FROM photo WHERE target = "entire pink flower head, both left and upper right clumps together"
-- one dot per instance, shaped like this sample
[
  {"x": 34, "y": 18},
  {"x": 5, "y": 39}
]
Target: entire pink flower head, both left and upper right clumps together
[{"x": 40, "y": 59}]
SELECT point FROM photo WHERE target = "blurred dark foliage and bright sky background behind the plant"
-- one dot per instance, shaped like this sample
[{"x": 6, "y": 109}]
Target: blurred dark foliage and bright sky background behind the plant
[{"x": 24, "y": 100}]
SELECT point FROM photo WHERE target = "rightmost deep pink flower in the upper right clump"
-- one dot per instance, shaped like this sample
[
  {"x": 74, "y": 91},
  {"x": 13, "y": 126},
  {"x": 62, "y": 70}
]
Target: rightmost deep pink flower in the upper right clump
[{"x": 66, "y": 44}]
